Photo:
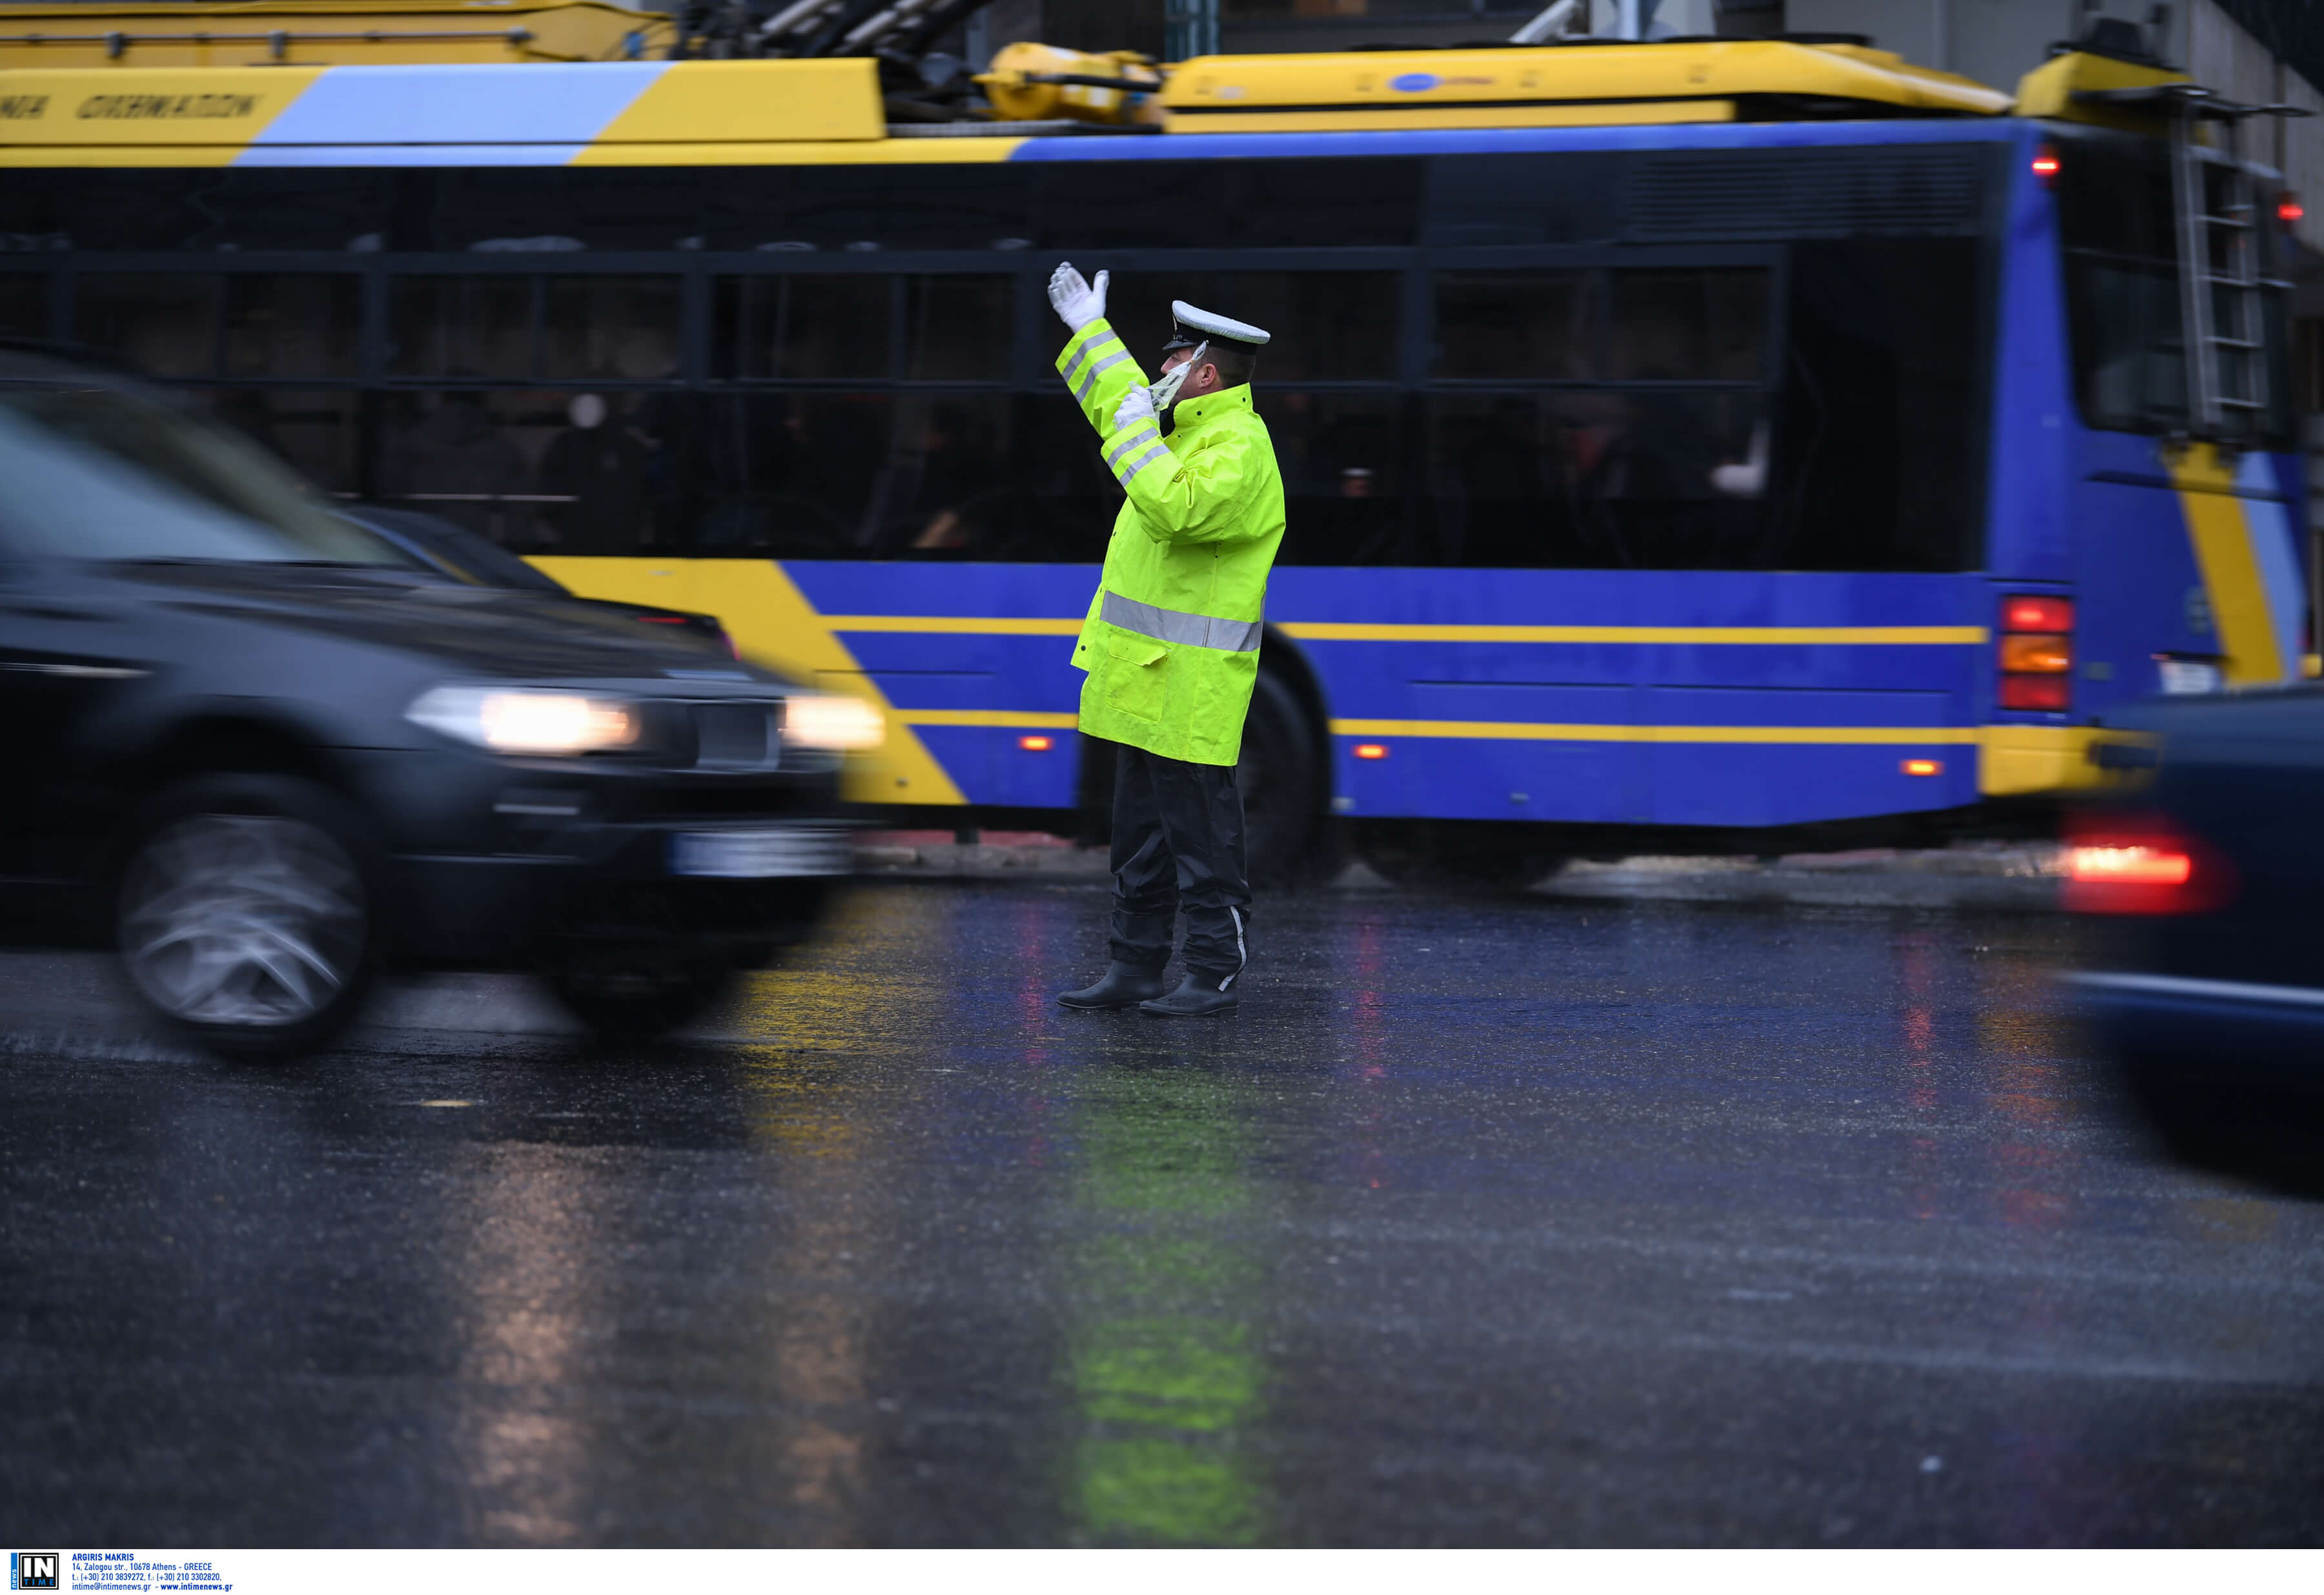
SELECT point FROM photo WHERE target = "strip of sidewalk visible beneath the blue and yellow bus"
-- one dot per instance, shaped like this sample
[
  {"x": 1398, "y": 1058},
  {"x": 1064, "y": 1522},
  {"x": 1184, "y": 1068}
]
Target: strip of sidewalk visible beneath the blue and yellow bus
[{"x": 1970, "y": 875}]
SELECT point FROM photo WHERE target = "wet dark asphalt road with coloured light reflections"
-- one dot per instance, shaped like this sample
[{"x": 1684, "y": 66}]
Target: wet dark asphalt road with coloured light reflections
[{"x": 1547, "y": 1222}]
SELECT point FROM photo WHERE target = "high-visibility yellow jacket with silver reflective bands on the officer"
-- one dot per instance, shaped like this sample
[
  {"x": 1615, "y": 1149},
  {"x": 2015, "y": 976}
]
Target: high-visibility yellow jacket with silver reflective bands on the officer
[{"x": 1172, "y": 638}]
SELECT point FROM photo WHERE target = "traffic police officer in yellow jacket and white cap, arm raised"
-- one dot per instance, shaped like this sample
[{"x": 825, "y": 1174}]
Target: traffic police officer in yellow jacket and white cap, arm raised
[{"x": 1172, "y": 638}]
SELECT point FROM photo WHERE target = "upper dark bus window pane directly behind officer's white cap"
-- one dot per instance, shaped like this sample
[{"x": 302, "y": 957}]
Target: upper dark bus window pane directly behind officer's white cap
[{"x": 1324, "y": 327}]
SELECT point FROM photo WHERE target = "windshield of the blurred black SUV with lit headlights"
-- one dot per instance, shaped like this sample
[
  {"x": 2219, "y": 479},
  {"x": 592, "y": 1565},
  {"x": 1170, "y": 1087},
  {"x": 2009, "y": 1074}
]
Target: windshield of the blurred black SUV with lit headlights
[{"x": 110, "y": 475}]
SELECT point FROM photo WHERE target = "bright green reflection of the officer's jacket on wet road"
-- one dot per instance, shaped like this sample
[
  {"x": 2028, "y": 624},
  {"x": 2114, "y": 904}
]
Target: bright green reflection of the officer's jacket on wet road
[{"x": 1165, "y": 1364}]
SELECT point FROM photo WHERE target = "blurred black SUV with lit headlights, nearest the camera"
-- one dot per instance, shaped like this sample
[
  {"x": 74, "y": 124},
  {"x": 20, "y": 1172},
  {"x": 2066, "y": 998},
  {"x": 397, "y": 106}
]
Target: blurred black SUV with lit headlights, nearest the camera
[{"x": 266, "y": 752}]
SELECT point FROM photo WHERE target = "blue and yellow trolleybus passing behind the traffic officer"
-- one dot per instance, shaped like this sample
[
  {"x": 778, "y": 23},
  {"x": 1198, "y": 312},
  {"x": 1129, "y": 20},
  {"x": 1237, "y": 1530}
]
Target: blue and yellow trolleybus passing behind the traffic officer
[{"x": 1688, "y": 445}]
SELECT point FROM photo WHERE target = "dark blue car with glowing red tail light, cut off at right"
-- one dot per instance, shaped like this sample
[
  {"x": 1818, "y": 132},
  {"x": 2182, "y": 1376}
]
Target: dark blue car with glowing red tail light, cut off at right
[{"x": 2211, "y": 973}]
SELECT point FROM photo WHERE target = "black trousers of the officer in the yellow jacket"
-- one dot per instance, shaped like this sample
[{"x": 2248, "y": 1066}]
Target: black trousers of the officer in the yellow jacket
[{"x": 1179, "y": 845}]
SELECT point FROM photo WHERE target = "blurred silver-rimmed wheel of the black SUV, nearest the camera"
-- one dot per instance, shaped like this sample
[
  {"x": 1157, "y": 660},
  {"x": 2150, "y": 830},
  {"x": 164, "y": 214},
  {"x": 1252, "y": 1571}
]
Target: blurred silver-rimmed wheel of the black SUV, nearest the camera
[{"x": 245, "y": 913}]
